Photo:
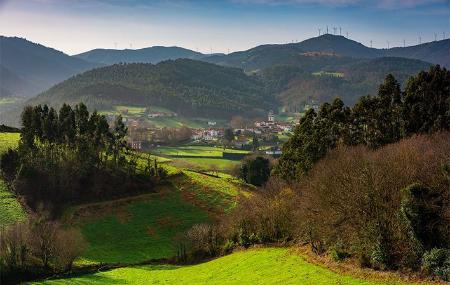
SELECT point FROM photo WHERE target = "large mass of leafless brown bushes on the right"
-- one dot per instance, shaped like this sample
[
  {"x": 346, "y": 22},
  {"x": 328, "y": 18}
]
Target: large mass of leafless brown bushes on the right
[{"x": 354, "y": 195}]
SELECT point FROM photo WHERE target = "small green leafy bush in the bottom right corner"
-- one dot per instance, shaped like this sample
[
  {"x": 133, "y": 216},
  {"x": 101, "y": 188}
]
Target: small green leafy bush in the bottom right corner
[{"x": 436, "y": 262}]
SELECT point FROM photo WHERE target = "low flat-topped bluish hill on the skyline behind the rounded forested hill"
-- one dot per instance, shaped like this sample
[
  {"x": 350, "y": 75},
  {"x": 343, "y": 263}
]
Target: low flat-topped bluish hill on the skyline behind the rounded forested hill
[{"x": 154, "y": 55}]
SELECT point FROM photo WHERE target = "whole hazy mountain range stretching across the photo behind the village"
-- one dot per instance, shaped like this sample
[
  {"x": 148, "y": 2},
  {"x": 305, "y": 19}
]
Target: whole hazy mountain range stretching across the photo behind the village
[{"x": 267, "y": 76}]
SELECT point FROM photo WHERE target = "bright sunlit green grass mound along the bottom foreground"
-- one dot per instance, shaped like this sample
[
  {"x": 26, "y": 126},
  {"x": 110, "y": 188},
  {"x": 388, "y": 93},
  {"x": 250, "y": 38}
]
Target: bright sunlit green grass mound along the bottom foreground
[{"x": 256, "y": 266}]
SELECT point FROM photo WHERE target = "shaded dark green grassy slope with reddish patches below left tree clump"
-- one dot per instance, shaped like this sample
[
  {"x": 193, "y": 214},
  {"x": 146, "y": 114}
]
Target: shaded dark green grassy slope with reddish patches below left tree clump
[{"x": 137, "y": 230}]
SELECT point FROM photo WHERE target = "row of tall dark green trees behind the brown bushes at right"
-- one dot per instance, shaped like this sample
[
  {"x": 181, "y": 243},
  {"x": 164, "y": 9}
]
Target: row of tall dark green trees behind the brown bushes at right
[{"x": 423, "y": 107}]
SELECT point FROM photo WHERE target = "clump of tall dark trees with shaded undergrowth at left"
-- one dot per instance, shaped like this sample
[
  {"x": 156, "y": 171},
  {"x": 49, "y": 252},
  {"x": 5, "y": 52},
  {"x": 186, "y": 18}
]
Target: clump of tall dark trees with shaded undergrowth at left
[{"x": 70, "y": 156}]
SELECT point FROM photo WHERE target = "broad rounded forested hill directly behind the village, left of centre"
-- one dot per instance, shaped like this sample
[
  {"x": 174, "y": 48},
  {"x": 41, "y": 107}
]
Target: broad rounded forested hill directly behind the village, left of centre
[{"x": 185, "y": 86}]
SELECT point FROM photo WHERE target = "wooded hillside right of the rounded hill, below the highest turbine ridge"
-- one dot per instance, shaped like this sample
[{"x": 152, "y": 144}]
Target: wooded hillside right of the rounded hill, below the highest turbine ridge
[{"x": 296, "y": 86}]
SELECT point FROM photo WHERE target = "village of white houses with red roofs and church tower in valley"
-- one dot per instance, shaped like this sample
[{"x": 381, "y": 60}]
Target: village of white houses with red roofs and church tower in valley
[{"x": 264, "y": 135}]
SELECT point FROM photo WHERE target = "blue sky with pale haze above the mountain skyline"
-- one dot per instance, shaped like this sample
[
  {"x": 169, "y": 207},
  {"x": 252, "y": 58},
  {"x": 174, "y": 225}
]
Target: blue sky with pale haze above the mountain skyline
[{"x": 75, "y": 26}]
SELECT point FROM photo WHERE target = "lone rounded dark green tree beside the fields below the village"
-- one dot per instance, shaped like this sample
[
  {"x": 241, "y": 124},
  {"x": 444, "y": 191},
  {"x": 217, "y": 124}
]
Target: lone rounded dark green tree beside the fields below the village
[{"x": 255, "y": 170}]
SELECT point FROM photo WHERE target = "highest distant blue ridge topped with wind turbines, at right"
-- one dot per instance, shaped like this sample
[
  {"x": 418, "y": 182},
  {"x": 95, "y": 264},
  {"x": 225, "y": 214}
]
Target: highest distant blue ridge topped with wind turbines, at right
[{"x": 329, "y": 48}]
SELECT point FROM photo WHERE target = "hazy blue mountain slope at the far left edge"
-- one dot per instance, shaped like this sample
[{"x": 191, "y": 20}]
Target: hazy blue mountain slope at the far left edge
[{"x": 27, "y": 68}]
